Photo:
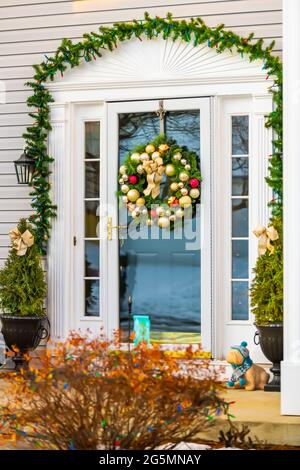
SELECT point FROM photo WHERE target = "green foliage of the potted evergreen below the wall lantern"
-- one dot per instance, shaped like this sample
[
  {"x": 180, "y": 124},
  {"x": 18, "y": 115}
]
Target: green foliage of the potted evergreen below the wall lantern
[{"x": 22, "y": 281}]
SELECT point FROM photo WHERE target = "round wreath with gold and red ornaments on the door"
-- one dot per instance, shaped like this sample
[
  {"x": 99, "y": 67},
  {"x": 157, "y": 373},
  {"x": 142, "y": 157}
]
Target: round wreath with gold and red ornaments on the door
[{"x": 158, "y": 181}]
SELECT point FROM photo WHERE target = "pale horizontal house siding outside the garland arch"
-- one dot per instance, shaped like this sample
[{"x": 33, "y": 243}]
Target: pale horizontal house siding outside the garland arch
[{"x": 31, "y": 28}]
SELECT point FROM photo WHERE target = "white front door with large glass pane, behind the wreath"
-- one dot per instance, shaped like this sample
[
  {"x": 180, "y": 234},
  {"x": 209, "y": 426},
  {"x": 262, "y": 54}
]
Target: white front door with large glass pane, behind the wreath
[{"x": 167, "y": 274}]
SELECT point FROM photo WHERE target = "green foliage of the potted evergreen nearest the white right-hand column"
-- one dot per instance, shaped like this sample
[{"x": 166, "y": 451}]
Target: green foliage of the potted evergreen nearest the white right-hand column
[{"x": 267, "y": 286}]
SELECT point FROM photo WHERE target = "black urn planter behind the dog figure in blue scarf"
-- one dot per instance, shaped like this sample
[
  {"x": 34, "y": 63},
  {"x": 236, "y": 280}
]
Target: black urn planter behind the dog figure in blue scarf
[{"x": 271, "y": 343}]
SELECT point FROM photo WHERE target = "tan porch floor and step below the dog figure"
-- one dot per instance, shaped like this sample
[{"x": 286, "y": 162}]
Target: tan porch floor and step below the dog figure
[{"x": 260, "y": 411}]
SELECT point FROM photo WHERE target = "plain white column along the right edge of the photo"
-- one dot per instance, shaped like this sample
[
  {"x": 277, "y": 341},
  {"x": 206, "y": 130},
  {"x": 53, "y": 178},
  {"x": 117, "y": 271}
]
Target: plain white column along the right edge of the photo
[{"x": 290, "y": 367}]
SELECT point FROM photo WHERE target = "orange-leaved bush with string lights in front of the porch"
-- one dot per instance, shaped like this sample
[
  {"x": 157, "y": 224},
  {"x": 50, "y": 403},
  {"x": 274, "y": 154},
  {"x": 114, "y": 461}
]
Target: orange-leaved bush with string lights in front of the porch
[{"x": 89, "y": 394}]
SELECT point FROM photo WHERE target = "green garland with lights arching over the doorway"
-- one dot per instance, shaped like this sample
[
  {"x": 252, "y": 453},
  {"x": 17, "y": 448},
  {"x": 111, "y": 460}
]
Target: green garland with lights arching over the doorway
[{"x": 71, "y": 55}]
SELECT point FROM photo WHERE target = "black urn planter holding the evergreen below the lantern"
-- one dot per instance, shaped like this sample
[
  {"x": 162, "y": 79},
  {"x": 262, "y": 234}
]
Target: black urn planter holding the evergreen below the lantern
[{"x": 23, "y": 334}]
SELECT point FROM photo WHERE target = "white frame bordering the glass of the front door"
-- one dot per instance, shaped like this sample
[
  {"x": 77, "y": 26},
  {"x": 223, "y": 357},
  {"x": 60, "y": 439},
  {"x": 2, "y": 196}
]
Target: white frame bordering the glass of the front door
[{"x": 204, "y": 106}]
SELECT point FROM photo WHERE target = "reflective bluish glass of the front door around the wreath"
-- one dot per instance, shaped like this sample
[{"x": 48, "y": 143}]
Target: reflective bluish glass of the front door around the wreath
[{"x": 163, "y": 275}]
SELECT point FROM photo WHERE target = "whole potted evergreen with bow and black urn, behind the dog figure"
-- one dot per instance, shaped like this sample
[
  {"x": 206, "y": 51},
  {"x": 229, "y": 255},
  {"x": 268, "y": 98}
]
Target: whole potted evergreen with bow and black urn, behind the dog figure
[{"x": 267, "y": 300}]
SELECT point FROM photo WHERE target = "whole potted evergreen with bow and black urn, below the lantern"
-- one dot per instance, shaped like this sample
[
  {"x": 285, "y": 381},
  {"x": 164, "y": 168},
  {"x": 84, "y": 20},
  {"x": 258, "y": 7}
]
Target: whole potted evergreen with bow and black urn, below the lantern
[{"x": 22, "y": 295}]
